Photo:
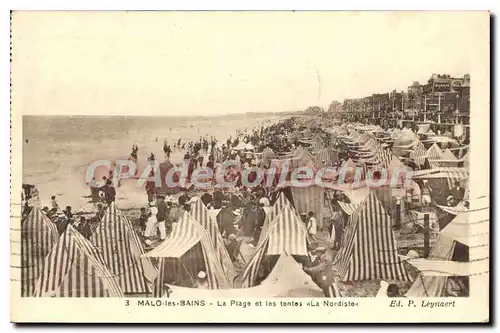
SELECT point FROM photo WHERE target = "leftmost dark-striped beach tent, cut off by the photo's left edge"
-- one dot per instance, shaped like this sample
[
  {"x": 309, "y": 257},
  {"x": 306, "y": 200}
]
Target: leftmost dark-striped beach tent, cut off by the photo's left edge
[{"x": 38, "y": 235}]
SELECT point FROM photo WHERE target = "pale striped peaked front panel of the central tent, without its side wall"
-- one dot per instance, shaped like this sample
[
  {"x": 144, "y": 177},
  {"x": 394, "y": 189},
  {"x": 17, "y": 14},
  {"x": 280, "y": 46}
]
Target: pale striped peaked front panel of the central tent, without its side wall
[{"x": 287, "y": 234}]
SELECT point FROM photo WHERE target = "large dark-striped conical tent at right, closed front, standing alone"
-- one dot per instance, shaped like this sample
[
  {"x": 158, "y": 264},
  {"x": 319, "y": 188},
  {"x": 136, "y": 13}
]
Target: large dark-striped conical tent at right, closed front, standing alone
[{"x": 369, "y": 249}]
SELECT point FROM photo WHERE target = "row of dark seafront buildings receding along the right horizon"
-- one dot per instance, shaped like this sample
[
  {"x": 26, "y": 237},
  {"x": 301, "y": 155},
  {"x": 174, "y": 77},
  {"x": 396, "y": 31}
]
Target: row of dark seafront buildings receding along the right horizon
[{"x": 442, "y": 99}]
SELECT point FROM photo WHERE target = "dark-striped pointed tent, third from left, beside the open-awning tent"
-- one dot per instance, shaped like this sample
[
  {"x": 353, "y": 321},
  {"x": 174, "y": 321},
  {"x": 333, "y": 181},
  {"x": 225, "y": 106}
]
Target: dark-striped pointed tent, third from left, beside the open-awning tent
[{"x": 122, "y": 250}]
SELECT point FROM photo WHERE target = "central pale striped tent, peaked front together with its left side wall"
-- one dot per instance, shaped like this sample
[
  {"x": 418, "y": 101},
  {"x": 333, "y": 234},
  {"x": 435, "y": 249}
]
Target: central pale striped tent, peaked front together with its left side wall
[{"x": 286, "y": 234}]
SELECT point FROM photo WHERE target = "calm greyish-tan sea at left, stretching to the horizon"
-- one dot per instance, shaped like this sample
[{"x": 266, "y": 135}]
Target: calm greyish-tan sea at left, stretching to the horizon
[{"x": 57, "y": 150}]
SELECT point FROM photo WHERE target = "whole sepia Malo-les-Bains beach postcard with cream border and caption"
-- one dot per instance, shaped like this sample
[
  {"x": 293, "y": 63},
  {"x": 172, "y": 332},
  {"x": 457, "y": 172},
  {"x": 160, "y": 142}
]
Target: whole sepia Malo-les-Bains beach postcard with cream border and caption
[{"x": 322, "y": 167}]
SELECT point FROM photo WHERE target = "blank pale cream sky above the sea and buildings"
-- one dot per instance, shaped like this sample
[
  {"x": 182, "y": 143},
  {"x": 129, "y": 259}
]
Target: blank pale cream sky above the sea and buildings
[{"x": 210, "y": 63}]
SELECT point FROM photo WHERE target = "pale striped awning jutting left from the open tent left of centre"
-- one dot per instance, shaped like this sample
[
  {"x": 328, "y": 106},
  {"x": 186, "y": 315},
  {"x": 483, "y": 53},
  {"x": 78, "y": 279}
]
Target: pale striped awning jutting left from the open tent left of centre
[{"x": 183, "y": 237}]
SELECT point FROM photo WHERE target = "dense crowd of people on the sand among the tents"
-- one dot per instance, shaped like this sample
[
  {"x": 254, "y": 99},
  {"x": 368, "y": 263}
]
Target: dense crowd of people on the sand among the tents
[{"x": 241, "y": 209}]
